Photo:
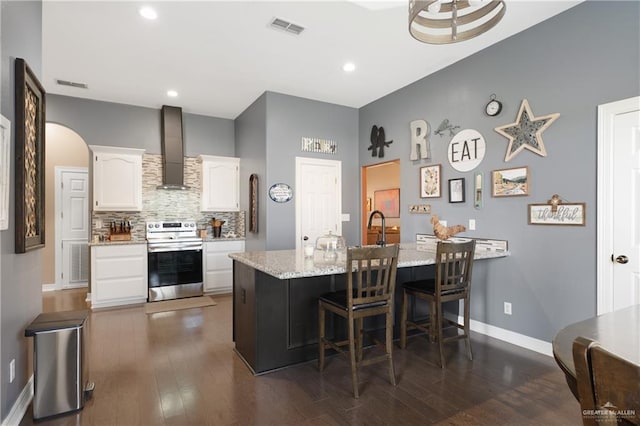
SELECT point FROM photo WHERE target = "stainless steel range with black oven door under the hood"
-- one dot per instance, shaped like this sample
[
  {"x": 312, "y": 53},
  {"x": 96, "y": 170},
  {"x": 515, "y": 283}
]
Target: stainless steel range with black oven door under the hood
[{"x": 174, "y": 260}]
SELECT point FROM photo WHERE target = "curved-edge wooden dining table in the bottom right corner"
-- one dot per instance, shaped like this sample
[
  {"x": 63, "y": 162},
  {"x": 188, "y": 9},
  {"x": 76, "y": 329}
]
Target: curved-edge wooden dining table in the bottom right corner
[{"x": 618, "y": 332}]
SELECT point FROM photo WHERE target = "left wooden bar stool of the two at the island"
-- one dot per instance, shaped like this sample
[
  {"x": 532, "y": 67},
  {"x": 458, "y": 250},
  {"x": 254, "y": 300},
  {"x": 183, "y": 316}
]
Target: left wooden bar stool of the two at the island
[{"x": 371, "y": 279}]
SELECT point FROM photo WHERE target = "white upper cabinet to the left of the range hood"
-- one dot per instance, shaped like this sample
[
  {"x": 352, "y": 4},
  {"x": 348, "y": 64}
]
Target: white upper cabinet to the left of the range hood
[{"x": 117, "y": 178}]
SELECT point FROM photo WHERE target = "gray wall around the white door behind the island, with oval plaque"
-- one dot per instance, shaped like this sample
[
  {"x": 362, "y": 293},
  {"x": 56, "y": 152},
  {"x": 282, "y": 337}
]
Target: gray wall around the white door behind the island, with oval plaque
[{"x": 290, "y": 118}]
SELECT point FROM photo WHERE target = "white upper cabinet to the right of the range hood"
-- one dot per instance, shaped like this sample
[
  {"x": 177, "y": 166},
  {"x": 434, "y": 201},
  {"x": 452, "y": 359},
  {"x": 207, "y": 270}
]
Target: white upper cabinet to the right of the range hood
[{"x": 220, "y": 184}]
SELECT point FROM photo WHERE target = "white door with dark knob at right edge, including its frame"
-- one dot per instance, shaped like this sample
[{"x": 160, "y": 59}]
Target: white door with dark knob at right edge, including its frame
[{"x": 619, "y": 205}]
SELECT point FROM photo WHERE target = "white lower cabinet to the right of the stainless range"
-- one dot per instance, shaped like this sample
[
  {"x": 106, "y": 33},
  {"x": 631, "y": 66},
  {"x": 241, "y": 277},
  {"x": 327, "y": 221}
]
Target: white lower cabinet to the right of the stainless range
[{"x": 218, "y": 266}]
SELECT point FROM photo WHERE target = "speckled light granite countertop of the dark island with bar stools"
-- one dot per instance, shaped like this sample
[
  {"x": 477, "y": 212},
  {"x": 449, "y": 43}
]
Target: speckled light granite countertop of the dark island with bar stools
[{"x": 287, "y": 264}]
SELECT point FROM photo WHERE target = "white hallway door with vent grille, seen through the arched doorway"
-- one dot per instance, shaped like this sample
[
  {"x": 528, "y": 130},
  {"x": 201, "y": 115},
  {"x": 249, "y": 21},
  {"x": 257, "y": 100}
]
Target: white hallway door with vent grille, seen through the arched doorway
[{"x": 74, "y": 229}]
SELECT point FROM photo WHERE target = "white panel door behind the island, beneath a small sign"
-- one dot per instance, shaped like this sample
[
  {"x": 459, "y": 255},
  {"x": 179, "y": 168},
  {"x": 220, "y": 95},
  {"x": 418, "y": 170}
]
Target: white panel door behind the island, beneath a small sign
[{"x": 318, "y": 198}]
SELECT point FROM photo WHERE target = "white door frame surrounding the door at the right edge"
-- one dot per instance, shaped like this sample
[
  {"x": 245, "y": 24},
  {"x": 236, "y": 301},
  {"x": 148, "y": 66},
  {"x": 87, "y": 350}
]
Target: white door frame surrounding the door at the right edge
[{"x": 604, "y": 190}]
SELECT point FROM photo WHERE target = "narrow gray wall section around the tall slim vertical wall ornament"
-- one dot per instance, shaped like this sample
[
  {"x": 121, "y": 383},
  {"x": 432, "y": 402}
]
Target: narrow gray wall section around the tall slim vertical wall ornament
[{"x": 251, "y": 146}]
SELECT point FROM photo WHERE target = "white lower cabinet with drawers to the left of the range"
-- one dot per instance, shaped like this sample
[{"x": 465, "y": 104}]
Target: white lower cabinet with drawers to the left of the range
[{"x": 118, "y": 275}]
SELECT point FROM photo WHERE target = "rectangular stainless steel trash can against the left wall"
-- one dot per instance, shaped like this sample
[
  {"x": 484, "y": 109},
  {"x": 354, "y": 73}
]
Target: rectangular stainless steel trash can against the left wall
[{"x": 59, "y": 362}]
